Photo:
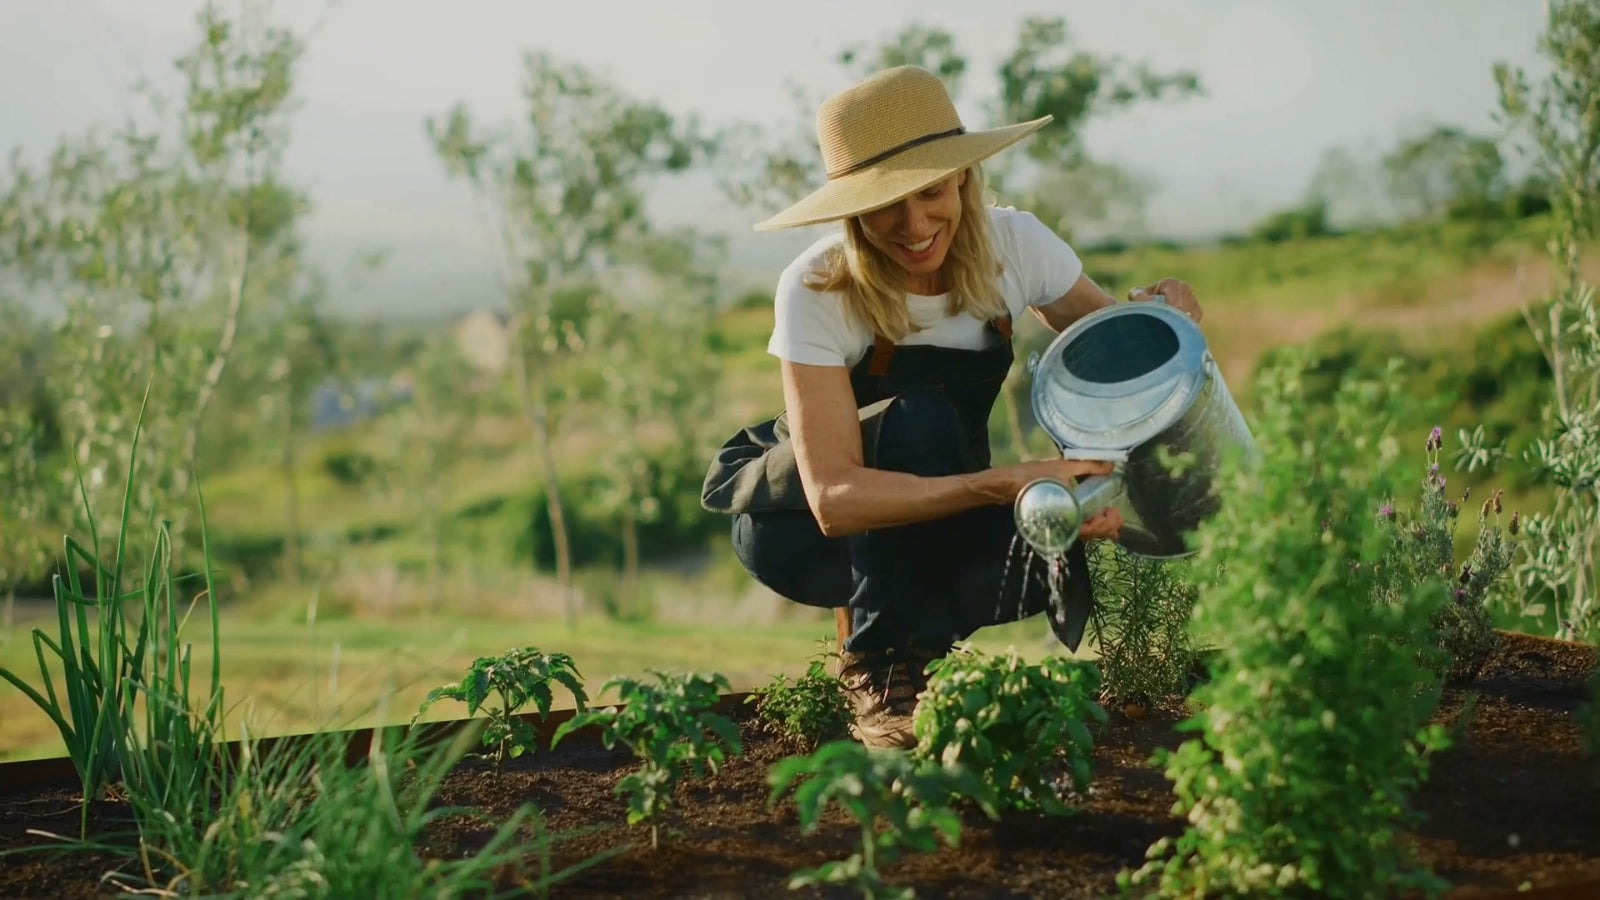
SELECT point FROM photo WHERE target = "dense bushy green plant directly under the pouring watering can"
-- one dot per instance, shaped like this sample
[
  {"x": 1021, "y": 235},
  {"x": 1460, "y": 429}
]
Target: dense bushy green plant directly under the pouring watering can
[{"x": 1018, "y": 726}]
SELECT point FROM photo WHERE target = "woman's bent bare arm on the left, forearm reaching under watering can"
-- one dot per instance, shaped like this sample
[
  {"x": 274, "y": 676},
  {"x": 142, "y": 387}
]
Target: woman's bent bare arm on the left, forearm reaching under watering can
[{"x": 847, "y": 497}]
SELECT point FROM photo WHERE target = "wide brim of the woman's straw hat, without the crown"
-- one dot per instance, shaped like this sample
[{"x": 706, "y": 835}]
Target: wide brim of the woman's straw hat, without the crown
[{"x": 898, "y": 177}]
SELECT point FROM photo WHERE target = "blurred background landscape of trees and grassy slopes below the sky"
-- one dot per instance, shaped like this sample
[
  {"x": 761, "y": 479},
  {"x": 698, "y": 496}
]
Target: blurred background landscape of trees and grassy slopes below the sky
[{"x": 378, "y": 488}]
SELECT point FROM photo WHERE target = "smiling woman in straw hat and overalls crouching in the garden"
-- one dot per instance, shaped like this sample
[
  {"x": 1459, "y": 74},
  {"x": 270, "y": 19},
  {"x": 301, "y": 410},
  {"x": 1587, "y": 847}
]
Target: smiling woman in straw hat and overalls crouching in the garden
[{"x": 873, "y": 492}]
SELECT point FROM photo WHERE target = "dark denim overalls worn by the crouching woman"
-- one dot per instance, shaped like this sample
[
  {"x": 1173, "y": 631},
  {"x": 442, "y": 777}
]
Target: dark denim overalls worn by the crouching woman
[{"x": 924, "y": 411}]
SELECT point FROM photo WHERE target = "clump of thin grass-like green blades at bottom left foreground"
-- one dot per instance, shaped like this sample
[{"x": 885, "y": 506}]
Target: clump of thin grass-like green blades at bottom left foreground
[{"x": 295, "y": 821}]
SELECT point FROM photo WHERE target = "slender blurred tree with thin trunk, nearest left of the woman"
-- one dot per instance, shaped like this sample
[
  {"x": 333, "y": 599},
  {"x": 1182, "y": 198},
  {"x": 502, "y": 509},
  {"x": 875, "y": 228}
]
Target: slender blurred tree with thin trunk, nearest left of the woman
[{"x": 564, "y": 193}]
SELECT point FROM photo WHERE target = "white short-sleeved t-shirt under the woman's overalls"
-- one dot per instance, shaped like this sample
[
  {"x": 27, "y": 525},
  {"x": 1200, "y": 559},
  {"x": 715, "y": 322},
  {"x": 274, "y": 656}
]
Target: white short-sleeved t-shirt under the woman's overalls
[{"x": 815, "y": 329}]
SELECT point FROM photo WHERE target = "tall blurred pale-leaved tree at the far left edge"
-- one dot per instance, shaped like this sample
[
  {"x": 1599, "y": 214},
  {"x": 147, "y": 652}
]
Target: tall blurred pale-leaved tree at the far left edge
[{"x": 151, "y": 236}]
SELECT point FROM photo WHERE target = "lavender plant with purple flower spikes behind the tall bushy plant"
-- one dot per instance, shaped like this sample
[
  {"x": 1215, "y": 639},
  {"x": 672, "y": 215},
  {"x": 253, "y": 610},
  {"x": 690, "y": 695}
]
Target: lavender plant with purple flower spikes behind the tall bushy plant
[{"x": 1423, "y": 548}]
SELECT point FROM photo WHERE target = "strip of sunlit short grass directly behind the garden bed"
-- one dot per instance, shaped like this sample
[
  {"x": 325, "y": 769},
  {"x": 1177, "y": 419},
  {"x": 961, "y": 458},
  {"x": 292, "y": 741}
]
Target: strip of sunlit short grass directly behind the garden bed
[{"x": 350, "y": 673}]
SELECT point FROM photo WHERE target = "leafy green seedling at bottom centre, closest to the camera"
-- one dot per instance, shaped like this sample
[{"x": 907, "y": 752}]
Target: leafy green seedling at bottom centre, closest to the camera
[{"x": 900, "y": 803}]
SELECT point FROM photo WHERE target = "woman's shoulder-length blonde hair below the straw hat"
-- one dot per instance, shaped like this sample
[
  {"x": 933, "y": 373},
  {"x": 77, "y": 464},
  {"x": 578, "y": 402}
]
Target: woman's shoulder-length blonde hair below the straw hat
[{"x": 874, "y": 286}]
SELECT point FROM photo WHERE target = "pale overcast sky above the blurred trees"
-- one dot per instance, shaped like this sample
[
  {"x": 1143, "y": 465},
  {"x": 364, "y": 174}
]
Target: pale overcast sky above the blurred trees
[{"x": 1286, "y": 79}]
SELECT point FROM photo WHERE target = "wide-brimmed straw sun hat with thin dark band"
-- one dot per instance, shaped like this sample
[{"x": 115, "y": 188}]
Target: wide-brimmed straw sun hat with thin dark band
[{"x": 887, "y": 139}]
